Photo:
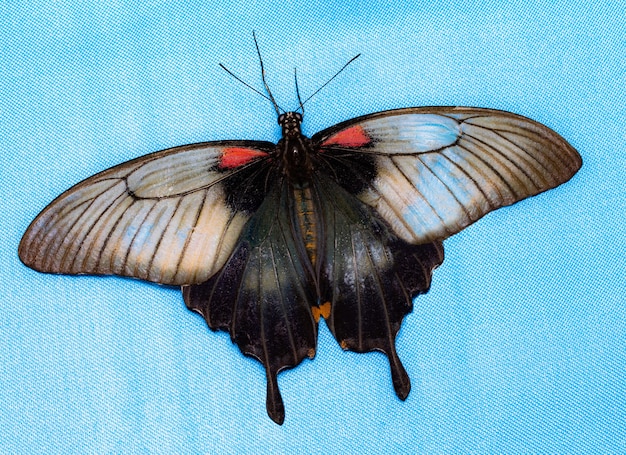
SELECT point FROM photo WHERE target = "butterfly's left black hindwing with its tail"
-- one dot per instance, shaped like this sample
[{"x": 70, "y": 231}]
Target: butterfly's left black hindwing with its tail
[{"x": 263, "y": 295}]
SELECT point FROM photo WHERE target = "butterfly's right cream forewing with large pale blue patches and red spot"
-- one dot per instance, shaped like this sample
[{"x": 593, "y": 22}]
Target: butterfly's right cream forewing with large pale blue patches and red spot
[{"x": 430, "y": 172}]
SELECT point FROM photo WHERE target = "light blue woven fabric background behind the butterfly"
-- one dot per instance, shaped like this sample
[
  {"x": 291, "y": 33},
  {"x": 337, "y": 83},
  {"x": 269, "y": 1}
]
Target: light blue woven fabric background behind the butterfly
[{"x": 520, "y": 347}]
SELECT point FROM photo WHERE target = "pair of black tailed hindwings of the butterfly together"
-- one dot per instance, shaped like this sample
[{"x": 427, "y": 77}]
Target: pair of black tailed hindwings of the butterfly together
[{"x": 271, "y": 293}]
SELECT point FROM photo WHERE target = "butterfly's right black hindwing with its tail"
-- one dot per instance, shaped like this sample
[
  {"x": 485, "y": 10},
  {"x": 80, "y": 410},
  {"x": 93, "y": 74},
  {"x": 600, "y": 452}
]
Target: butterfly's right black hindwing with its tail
[{"x": 370, "y": 277}]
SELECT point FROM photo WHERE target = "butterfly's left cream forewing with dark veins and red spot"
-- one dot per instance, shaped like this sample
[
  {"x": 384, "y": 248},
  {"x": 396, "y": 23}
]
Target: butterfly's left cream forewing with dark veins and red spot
[{"x": 168, "y": 217}]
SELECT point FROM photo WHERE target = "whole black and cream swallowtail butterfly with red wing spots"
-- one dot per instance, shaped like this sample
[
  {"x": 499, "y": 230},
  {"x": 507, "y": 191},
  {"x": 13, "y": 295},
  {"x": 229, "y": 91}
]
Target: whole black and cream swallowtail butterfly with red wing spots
[{"x": 267, "y": 239}]
